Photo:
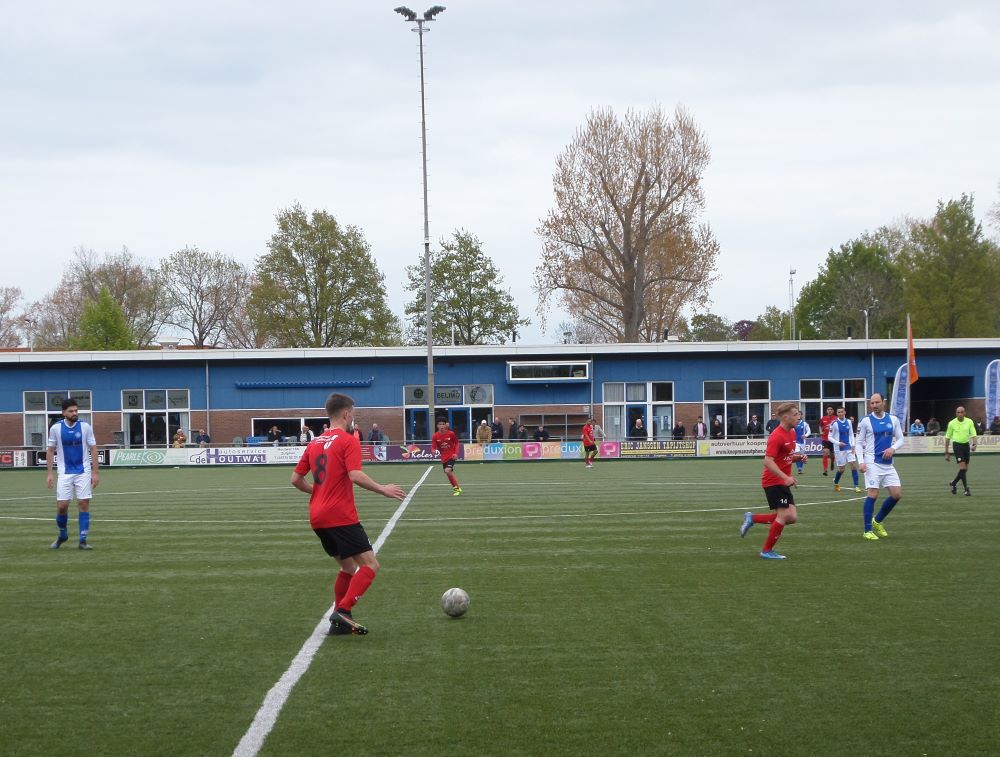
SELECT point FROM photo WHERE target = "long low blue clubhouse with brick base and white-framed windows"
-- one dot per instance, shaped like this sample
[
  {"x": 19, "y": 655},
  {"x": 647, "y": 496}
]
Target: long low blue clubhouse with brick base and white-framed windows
[{"x": 140, "y": 398}]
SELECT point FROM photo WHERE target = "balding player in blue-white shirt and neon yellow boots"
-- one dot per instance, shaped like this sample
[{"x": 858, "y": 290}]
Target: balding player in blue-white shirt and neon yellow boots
[{"x": 879, "y": 436}]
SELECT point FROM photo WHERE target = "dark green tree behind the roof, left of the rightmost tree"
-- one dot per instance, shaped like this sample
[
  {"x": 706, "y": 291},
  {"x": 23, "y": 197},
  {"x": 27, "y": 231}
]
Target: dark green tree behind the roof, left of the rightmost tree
[{"x": 863, "y": 274}]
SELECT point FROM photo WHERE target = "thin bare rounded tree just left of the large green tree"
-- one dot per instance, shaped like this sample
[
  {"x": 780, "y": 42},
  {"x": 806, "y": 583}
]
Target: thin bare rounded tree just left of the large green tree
[{"x": 201, "y": 292}]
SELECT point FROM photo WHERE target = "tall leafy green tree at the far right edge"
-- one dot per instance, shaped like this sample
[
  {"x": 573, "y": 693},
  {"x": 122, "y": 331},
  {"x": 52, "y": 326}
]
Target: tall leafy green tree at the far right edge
[{"x": 952, "y": 274}]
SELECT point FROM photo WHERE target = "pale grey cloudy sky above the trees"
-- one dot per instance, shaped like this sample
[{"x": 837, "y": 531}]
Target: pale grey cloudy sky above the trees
[{"x": 158, "y": 125}]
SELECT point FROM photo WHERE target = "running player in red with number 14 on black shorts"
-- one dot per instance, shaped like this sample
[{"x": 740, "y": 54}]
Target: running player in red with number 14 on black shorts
[{"x": 777, "y": 480}]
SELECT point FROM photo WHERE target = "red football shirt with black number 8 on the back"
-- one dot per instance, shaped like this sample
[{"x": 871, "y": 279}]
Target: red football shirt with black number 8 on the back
[{"x": 331, "y": 457}]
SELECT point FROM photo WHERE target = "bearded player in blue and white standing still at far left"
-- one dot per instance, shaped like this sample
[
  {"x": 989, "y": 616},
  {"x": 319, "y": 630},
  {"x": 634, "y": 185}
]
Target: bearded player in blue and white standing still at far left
[{"x": 77, "y": 470}]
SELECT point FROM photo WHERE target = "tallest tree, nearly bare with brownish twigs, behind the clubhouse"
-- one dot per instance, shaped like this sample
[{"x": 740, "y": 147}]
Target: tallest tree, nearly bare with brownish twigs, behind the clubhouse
[{"x": 623, "y": 248}]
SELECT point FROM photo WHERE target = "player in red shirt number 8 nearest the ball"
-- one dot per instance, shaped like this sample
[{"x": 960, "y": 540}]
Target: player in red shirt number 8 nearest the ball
[{"x": 334, "y": 458}]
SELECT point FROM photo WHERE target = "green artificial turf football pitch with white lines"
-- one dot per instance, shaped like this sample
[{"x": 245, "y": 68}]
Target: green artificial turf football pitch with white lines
[{"x": 614, "y": 611}]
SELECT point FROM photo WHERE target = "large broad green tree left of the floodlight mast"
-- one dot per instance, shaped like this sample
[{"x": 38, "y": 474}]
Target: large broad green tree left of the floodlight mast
[{"x": 319, "y": 285}]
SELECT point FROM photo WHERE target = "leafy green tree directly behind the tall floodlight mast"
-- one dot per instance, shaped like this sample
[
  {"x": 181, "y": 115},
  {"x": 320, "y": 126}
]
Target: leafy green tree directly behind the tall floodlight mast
[{"x": 466, "y": 292}]
